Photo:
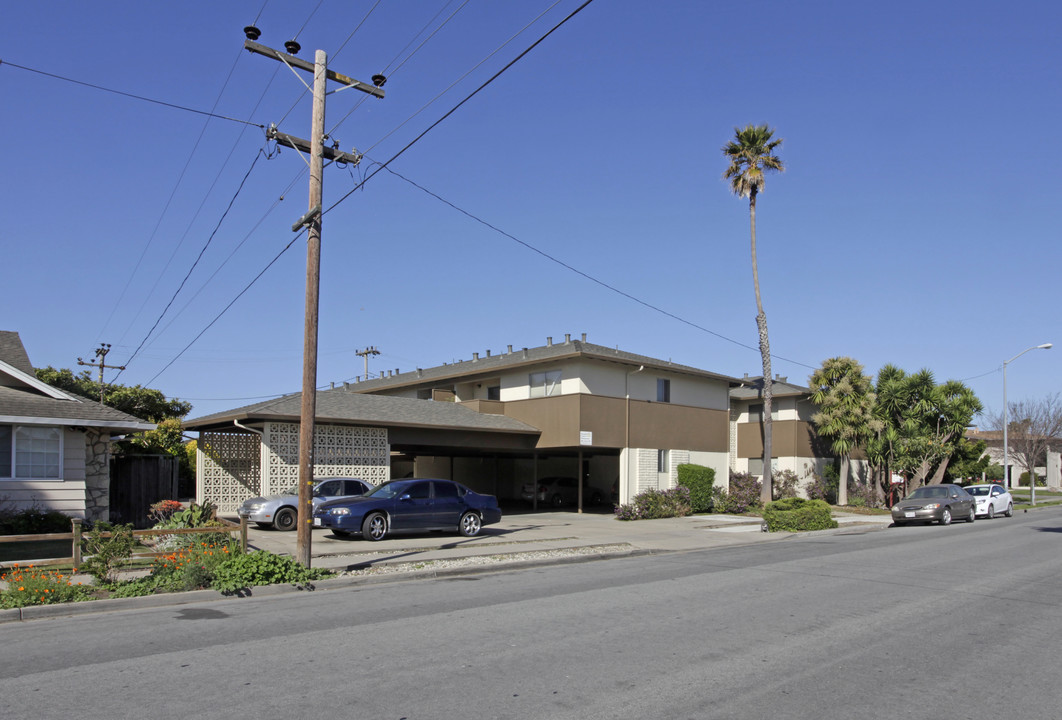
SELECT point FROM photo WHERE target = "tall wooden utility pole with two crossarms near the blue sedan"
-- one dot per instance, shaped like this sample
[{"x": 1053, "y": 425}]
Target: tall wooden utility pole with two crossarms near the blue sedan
[{"x": 313, "y": 221}]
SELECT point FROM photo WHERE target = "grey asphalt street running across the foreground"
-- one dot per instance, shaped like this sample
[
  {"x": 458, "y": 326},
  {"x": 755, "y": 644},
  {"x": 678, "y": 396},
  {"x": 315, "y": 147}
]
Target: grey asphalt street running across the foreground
[{"x": 958, "y": 622}]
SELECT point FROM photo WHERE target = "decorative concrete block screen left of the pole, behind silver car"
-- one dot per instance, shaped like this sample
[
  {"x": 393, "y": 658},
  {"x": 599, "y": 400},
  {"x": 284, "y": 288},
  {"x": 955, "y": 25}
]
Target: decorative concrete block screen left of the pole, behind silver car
[{"x": 229, "y": 469}]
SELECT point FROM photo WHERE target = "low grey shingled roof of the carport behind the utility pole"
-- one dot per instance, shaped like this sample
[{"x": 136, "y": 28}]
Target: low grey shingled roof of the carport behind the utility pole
[{"x": 341, "y": 407}]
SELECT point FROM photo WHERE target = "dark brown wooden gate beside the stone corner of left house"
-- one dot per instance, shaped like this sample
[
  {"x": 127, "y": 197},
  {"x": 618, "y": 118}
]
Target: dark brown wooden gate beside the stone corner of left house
[{"x": 140, "y": 482}]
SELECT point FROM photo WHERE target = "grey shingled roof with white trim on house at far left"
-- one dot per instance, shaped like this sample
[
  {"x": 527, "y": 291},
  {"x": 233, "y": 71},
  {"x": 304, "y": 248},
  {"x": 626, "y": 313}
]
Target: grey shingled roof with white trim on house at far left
[{"x": 27, "y": 401}]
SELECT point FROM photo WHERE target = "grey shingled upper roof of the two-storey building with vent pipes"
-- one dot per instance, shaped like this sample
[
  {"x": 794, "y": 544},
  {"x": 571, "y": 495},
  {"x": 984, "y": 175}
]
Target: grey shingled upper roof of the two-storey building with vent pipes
[{"x": 570, "y": 350}]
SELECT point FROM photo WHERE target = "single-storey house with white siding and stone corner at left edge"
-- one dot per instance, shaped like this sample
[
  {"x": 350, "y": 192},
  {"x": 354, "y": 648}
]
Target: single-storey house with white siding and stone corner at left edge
[{"x": 55, "y": 447}]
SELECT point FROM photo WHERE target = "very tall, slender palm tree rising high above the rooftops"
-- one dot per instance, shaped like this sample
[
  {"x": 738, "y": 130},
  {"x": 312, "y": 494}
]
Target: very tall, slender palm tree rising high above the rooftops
[{"x": 751, "y": 153}]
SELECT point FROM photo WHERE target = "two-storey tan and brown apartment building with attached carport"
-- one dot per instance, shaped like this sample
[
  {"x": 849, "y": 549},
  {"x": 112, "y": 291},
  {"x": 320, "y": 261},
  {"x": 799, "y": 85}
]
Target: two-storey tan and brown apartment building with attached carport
[{"x": 624, "y": 422}]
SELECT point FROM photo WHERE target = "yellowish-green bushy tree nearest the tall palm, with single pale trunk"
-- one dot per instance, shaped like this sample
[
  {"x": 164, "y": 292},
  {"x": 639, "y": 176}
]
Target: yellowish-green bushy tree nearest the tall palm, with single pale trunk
[{"x": 846, "y": 417}]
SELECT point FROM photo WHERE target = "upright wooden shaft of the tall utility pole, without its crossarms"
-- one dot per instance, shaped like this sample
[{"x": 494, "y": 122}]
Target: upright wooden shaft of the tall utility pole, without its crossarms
[{"x": 313, "y": 303}]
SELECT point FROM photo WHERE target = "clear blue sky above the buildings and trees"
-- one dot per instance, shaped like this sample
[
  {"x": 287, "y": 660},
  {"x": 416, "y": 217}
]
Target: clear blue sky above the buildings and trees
[{"x": 918, "y": 222}]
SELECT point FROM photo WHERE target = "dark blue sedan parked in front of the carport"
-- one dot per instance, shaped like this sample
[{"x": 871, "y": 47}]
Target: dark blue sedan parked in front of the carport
[{"x": 409, "y": 506}]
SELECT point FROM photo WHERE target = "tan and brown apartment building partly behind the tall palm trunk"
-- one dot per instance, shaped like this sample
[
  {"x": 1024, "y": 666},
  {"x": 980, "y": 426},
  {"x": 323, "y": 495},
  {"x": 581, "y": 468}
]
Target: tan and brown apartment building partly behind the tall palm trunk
[{"x": 795, "y": 445}]
